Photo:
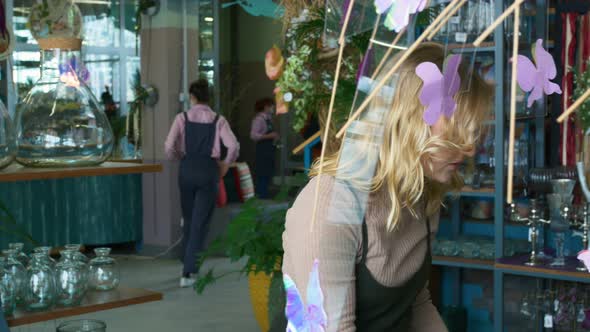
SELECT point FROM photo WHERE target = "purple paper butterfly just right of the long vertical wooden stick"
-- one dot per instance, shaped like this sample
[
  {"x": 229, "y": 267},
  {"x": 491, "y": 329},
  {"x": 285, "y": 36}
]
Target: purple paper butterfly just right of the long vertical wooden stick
[{"x": 537, "y": 79}]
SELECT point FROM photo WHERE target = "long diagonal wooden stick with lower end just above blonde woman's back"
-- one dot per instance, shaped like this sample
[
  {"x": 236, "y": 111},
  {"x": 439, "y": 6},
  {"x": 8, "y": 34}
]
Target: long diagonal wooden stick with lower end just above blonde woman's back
[{"x": 393, "y": 69}]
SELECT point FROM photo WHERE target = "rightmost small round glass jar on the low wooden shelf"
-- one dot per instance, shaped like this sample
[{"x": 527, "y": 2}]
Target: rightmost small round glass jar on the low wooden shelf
[{"x": 103, "y": 270}]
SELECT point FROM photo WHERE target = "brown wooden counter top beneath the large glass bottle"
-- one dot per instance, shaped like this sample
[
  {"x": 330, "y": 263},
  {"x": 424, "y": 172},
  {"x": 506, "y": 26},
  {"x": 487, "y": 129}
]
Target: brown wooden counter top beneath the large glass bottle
[{"x": 17, "y": 172}]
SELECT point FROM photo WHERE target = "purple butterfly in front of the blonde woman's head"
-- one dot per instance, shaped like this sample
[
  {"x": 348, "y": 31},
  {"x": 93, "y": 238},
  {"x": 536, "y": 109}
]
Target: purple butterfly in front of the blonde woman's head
[{"x": 439, "y": 89}]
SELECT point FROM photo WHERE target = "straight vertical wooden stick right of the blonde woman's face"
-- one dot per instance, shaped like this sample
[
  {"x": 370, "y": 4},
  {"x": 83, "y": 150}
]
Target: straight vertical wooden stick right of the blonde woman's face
[{"x": 513, "y": 105}]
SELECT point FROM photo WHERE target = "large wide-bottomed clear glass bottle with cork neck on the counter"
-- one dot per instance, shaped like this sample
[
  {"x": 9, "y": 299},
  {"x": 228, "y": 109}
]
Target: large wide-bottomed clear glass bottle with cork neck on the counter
[{"x": 60, "y": 123}]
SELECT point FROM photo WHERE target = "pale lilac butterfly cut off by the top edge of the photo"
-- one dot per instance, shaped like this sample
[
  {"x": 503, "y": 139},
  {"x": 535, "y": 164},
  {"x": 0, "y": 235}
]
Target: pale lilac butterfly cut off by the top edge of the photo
[{"x": 399, "y": 13}]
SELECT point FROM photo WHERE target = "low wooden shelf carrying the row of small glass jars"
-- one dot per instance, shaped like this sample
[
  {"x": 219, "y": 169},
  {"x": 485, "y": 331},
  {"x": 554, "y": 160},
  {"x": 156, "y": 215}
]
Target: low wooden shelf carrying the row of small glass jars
[{"x": 94, "y": 301}]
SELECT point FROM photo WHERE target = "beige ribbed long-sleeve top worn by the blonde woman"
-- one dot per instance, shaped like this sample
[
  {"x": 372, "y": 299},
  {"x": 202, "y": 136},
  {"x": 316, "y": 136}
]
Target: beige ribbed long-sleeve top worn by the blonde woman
[{"x": 335, "y": 239}]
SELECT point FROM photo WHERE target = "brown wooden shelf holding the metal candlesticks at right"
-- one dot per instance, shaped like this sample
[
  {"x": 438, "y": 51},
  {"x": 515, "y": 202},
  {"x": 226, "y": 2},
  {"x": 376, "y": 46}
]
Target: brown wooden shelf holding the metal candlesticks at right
[{"x": 515, "y": 265}]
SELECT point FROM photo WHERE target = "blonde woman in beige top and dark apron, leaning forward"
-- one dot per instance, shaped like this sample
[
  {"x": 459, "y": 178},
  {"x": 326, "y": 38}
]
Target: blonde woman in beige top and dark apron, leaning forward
[{"x": 373, "y": 250}]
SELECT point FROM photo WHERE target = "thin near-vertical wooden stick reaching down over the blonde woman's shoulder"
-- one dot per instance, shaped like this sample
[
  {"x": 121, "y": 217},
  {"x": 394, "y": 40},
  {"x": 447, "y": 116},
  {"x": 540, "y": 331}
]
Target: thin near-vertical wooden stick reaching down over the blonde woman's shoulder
[{"x": 342, "y": 42}]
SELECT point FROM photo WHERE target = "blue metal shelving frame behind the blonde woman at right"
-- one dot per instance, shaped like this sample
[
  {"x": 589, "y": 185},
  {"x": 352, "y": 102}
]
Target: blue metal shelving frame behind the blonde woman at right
[{"x": 506, "y": 266}]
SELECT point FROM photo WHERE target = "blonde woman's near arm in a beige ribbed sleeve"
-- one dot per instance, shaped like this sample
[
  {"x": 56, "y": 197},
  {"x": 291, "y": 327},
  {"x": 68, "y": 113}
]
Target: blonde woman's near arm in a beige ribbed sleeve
[{"x": 334, "y": 239}]
